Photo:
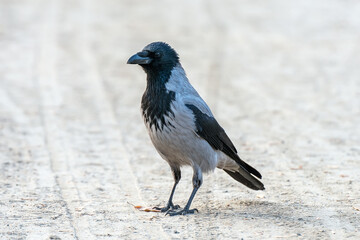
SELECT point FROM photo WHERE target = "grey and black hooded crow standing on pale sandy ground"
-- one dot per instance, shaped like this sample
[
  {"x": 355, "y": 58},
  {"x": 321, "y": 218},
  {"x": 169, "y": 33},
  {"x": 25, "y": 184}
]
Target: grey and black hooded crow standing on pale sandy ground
[{"x": 182, "y": 127}]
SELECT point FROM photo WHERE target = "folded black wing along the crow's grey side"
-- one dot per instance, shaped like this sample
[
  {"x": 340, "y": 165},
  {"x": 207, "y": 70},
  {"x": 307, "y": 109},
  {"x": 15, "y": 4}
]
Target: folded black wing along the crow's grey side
[{"x": 210, "y": 130}]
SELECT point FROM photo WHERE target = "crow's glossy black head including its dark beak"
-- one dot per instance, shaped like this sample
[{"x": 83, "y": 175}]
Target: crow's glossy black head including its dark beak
[{"x": 156, "y": 57}]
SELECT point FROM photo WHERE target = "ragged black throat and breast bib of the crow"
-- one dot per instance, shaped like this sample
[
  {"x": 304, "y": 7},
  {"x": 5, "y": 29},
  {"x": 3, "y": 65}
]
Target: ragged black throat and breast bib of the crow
[{"x": 156, "y": 101}]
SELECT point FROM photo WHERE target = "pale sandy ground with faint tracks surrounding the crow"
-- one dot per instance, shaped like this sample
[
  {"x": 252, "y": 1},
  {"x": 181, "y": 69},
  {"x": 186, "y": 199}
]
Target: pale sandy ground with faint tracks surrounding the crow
[{"x": 282, "y": 79}]
